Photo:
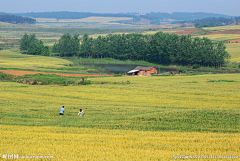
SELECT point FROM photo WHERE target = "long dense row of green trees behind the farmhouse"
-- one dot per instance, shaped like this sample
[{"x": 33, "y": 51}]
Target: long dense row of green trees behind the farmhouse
[{"x": 159, "y": 48}]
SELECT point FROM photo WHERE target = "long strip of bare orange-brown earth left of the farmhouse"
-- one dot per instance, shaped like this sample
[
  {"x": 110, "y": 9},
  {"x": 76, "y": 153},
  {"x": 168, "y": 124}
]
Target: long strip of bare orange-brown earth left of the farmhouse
[{"x": 15, "y": 72}]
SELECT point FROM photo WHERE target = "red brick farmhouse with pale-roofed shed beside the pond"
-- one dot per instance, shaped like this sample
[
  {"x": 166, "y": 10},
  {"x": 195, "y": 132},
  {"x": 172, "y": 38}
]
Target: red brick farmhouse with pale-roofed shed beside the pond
[{"x": 143, "y": 71}]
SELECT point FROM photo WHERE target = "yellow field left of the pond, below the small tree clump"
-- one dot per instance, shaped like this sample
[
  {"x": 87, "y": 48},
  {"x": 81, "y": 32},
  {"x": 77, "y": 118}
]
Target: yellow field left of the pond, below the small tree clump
[{"x": 9, "y": 59}]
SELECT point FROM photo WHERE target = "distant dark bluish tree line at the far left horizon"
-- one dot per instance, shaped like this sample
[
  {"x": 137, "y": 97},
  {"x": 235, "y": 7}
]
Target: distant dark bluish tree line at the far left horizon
[{"x": 16, "y": 19}]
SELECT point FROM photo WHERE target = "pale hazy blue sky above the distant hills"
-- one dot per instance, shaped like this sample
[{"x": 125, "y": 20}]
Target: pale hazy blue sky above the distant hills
[{"x": 226, "y": 7}]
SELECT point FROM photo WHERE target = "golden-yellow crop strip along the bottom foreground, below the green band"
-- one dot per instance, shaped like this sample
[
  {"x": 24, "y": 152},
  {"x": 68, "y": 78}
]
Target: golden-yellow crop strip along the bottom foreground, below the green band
[{"x": 64, "y": 143}]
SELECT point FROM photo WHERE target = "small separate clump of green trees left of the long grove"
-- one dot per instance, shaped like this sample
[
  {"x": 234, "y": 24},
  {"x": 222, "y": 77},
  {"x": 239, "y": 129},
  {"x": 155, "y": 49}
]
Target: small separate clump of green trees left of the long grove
[{"x": 33, "y": 46}]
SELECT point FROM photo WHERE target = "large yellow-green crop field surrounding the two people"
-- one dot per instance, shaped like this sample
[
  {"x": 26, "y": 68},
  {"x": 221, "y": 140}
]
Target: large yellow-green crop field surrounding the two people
[{"x": 146, "y": 118}]
